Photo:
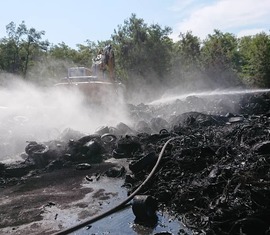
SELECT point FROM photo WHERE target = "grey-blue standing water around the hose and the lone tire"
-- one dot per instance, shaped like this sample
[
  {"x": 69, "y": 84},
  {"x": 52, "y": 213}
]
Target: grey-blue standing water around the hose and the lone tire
[{"x": 106, "y": 194}]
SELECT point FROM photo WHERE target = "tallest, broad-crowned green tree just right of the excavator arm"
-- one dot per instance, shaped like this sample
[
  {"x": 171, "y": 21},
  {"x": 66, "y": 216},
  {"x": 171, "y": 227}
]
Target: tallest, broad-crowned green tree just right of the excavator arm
[{"x": 142, "y": 49}]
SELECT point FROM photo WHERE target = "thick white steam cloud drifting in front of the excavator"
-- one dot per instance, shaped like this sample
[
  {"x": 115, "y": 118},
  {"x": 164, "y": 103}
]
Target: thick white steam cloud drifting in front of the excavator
[{"x": 31, "y": 113}]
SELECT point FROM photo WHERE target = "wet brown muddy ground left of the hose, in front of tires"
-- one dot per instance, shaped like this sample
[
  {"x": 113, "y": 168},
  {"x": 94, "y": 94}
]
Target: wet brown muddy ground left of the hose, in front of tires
[{"x": 46, "y": 202}]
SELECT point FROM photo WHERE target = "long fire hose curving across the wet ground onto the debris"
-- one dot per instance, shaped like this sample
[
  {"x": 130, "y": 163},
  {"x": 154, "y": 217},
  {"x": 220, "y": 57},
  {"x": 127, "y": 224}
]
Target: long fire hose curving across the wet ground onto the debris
[{"x": 122, "y": 204}]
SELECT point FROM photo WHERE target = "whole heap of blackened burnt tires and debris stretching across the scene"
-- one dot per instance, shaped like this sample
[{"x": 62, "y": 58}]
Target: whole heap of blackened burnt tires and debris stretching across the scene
[{"x": 214, "y": 176}]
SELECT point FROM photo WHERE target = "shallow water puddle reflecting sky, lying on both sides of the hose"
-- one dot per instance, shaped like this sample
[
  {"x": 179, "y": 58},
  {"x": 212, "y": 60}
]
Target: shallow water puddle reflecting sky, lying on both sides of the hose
[{"x": 123, "y": 221}]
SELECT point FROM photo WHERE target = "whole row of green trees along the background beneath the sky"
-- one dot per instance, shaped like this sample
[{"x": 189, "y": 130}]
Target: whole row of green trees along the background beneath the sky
[{"x": 144, "y": 54}]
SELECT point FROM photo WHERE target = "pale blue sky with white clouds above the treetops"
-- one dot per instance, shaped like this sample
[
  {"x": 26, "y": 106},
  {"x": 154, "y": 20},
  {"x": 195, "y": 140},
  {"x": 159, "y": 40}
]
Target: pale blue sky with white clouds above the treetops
[{"x": 74, "y": 22}]
